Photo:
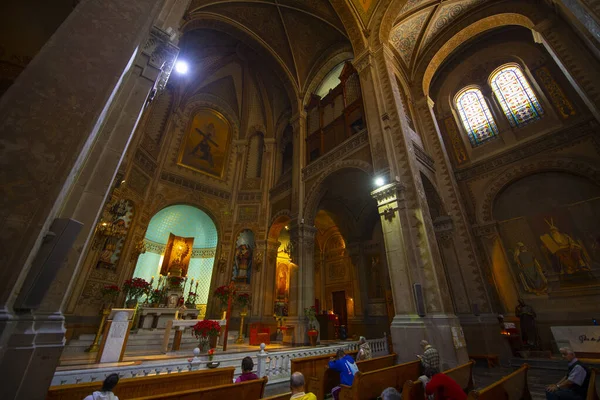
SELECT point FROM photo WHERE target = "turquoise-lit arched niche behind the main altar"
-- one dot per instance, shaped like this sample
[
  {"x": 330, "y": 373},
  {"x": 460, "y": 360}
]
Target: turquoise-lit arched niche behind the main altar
[{"x": 192, "y": 224}]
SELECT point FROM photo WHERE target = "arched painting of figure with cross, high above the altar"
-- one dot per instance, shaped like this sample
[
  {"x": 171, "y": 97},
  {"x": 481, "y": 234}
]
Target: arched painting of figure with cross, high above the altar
[{"x": 206, "y": 143}]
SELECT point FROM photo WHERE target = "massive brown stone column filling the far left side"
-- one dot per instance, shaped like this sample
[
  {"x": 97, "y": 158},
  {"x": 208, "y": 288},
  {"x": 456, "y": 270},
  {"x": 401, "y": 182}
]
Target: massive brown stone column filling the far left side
[{"x": 51, "y": 119}]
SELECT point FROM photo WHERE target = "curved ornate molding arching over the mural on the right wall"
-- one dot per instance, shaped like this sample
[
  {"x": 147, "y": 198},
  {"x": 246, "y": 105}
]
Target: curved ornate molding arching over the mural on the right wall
[{"x": 510, "y": 175}]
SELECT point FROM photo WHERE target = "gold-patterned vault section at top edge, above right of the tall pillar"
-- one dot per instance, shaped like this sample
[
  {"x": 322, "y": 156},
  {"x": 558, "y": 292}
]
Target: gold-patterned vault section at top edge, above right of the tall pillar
[{"x": 421, "y": 21}]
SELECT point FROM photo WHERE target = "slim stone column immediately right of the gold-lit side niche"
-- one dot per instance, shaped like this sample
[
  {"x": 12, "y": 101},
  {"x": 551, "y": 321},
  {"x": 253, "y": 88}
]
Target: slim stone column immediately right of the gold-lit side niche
[{"x": 302, "y": 285}]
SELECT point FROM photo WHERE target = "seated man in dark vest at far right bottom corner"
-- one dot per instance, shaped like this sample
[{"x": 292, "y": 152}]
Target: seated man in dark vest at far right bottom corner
[{"x": 574, "y": 385}]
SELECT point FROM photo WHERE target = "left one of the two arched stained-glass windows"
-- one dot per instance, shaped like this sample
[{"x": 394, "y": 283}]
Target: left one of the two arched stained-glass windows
[{"x": 476, "y": 116}]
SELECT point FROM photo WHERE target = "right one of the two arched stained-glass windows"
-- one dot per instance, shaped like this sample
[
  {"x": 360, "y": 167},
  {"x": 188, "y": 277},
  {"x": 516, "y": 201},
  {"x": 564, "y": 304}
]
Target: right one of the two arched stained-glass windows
[{"x": 516, "y": 97}]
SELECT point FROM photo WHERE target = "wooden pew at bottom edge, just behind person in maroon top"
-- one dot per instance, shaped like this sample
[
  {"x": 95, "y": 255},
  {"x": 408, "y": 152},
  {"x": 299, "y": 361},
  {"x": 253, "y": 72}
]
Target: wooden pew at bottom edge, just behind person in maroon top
[{"x": 248, "y": 390}]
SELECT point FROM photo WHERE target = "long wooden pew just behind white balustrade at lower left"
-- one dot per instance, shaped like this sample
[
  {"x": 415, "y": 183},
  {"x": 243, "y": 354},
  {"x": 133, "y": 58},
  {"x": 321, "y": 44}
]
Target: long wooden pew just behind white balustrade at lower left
[{"x": 148, "y": 385}]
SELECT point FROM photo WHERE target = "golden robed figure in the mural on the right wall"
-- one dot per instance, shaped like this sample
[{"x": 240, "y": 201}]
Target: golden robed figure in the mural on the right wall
[{"x": 568, "y": 255}]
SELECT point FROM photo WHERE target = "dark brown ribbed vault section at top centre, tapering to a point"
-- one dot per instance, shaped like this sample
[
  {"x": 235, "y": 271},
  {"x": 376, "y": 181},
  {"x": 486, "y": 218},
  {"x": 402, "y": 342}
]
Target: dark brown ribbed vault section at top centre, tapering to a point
[{"x": 299, "y": 34}]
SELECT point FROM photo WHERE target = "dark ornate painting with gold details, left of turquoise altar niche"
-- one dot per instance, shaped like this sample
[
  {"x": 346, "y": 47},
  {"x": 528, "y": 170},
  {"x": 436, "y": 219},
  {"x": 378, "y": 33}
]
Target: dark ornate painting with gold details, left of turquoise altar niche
[{"x": 112, "y": 232}]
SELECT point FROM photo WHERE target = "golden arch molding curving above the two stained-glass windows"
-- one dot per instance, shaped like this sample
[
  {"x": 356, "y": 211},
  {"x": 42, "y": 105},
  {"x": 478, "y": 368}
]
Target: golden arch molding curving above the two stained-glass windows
[{"x": 525, "y": 14}]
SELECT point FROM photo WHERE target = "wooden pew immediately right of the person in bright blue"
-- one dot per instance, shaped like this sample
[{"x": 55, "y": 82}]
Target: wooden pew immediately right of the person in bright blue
[{"x": 369, "y": 385}]
